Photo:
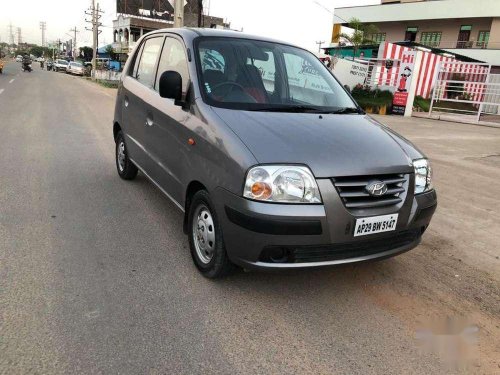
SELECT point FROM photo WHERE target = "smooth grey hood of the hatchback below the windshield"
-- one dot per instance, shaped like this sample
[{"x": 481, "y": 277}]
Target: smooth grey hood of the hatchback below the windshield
[{"x": 331, "y": 145}]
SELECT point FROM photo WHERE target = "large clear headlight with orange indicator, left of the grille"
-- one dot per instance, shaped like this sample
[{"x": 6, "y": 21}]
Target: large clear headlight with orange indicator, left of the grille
[{"x": 281, "y": 183}]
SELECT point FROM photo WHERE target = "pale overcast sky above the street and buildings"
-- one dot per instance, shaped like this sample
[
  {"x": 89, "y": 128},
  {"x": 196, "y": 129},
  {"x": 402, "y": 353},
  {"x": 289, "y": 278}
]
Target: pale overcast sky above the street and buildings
[{"x": 301, "y": 22}]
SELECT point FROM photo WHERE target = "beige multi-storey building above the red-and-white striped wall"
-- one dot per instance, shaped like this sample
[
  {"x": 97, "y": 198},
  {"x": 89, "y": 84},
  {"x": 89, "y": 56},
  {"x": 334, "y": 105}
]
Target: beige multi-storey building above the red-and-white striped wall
[{"x": 461, "y": 27}]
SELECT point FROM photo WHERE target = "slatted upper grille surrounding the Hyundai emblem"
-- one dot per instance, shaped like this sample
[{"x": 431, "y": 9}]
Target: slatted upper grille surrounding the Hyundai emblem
[{"x": 352, "y": 190}]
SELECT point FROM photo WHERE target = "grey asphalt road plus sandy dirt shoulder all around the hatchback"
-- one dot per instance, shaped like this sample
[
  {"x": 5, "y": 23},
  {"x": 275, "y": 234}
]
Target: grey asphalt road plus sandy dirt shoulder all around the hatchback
[{"x": 96, "y": 276}]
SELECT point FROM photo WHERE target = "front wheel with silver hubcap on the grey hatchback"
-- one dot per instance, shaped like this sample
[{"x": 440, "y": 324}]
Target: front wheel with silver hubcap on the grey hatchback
[{"x": 205, "y": 238}]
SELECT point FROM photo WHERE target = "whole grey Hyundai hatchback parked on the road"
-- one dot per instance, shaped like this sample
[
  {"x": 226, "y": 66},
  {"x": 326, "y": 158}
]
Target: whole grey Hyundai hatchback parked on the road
[{"x": 272, "y": 162}]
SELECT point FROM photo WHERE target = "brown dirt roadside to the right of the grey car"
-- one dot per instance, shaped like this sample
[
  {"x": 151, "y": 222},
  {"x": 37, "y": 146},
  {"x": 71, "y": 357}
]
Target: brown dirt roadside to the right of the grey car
[{"x": 455, "y": 272}]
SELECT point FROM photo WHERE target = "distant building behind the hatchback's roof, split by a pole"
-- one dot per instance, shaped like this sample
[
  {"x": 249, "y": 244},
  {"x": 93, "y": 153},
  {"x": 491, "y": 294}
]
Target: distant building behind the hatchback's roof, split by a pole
[{"x": 130, "y": 26}]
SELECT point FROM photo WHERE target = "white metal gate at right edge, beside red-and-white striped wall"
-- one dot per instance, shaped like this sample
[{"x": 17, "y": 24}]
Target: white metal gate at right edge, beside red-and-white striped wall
[{"x": 466, "y": 91}]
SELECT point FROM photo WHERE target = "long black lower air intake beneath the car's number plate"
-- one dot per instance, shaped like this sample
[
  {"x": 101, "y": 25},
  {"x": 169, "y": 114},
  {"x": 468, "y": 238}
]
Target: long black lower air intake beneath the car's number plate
[{"x": 343, "y": 251}]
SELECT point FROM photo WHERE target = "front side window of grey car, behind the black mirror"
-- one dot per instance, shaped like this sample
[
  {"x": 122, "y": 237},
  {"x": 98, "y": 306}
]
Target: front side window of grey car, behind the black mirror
[{"x": 173, "y": 57}]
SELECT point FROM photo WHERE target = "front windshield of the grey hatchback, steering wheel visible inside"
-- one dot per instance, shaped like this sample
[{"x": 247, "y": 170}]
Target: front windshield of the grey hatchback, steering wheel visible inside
[{"x": 262, "y": 76}]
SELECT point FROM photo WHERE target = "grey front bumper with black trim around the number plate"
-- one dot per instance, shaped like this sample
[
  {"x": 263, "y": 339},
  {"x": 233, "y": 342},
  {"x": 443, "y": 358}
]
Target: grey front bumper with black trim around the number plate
[{"x": 269, "y": 235}]
